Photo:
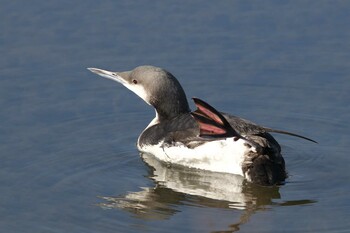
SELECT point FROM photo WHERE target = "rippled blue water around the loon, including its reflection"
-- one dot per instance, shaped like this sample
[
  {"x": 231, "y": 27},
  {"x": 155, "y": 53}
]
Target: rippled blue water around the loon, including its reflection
[{"x": 68, "y": 161}]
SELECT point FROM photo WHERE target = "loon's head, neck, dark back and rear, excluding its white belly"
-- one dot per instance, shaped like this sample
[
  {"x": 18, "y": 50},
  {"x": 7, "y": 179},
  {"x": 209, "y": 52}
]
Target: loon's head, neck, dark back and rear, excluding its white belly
[{"x": 175, "y": 123}]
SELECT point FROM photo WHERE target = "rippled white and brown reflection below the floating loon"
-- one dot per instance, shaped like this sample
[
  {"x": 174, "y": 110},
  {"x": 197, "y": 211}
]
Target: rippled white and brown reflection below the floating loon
[{"x": 176, "y": 186}]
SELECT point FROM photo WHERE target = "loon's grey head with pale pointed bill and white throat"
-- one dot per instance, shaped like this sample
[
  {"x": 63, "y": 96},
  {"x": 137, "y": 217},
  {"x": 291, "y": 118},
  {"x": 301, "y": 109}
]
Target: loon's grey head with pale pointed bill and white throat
[{"x": 156, "y": 86}]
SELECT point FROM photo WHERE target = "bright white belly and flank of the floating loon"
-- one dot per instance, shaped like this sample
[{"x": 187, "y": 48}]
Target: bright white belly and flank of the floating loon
[{"x": 224, "y": 155}]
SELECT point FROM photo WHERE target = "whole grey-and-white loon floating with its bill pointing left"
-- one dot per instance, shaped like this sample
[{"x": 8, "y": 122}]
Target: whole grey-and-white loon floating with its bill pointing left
[{"x": 205, "y": 138}]
